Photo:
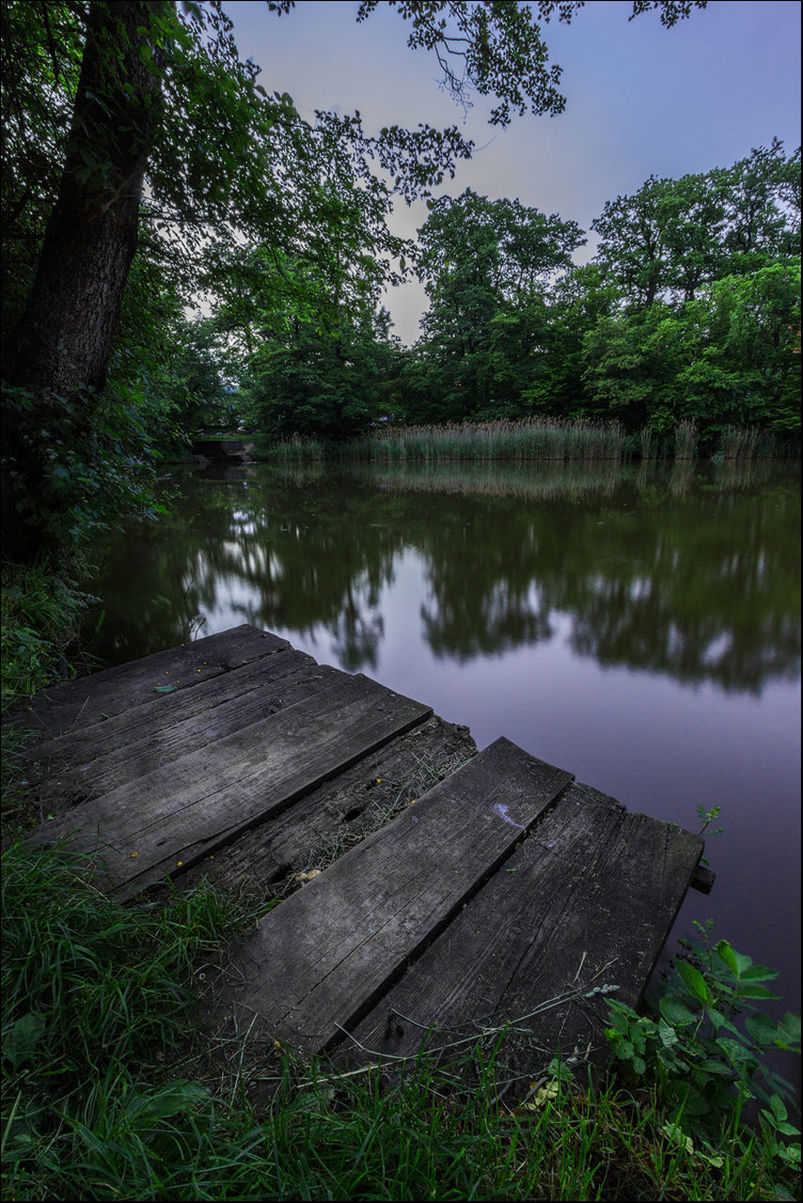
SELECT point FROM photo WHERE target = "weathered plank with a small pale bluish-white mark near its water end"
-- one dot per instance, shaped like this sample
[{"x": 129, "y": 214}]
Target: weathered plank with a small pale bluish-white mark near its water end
[{"x": 321, "y": 959}]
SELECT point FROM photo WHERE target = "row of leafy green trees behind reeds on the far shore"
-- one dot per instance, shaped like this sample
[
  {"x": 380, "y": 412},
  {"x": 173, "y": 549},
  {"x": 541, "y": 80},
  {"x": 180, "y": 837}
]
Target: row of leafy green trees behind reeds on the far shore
[{"x": 689, "y": 313}]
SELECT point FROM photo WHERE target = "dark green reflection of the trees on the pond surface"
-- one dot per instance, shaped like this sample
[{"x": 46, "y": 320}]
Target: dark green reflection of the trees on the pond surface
[{"x": 695, "y": 574}]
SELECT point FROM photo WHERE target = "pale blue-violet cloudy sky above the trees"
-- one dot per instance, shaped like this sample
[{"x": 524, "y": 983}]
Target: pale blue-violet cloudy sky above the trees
[{"x": 641, "y": 100}]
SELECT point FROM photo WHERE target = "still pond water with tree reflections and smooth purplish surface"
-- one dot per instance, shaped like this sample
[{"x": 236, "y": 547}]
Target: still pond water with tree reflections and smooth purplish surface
[{"x": 639, "y": 627}]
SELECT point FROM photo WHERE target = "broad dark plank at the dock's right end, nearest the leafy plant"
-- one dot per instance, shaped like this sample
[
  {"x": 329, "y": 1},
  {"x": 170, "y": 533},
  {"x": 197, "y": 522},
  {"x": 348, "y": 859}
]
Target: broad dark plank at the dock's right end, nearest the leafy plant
[{"x": 586, "y": 902}]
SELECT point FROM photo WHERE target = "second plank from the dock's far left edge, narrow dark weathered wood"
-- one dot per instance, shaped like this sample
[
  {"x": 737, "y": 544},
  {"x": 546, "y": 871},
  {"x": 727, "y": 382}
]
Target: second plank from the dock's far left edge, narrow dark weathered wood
[{"x": 119, "y": 751}]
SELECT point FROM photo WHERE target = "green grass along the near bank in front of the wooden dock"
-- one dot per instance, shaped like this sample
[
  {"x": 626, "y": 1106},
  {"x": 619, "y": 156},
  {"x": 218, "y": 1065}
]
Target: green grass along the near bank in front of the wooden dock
[{"x": 110, "y": 1092}]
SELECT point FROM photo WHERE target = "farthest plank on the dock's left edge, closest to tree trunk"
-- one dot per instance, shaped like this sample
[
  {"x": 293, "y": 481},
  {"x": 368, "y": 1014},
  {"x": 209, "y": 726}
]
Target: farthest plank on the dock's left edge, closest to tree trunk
[{"x": 79, "y": 704}]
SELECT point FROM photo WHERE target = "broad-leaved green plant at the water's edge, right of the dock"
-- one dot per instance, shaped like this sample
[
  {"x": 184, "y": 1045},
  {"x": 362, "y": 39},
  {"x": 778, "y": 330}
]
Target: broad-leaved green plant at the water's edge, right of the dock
[{"x": 705, "y": 1064}]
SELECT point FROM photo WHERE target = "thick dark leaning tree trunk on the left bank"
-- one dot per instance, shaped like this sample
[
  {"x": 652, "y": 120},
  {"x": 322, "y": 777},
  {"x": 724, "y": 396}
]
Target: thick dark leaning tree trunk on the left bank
[{"x": 64, "y": 340}]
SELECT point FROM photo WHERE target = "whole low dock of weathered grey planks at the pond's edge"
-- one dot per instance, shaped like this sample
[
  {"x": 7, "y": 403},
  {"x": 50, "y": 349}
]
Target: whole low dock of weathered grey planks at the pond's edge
[{"x": 492, "y": 890}]
